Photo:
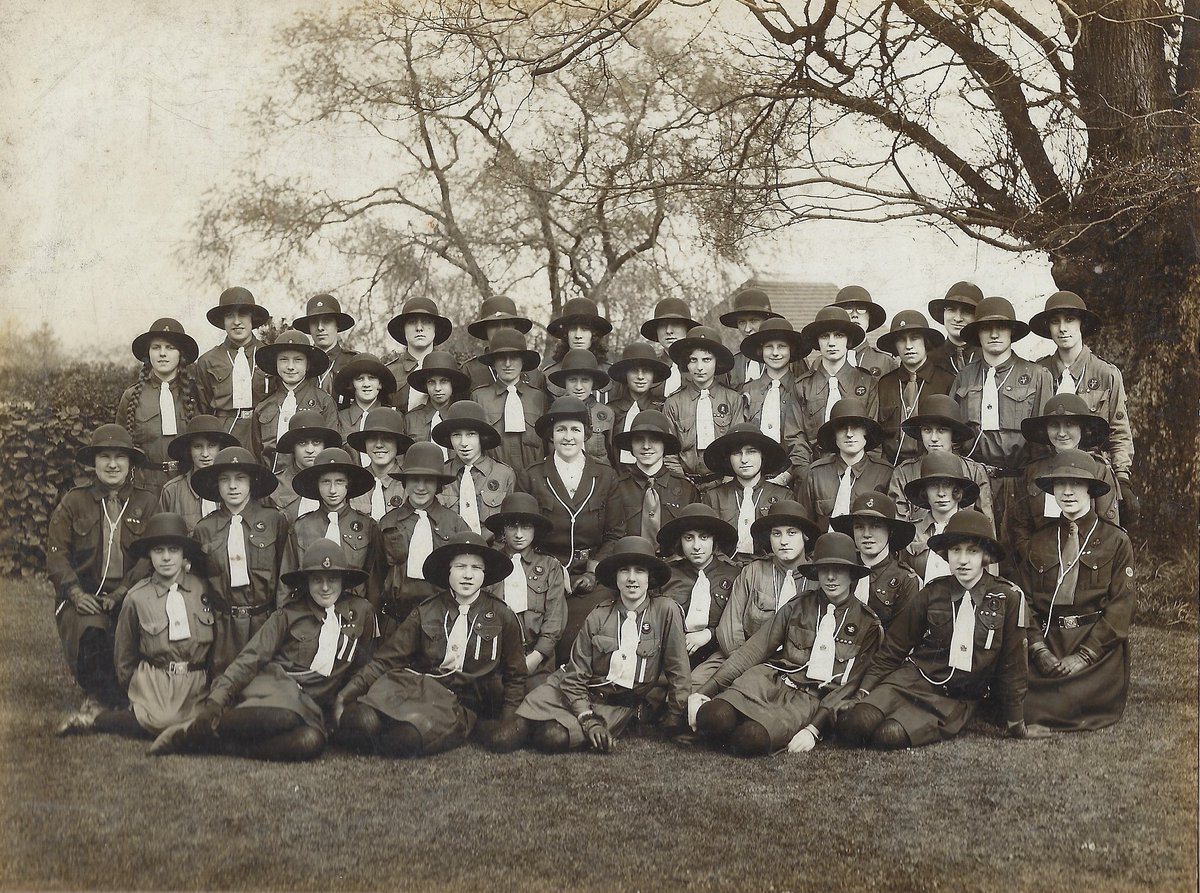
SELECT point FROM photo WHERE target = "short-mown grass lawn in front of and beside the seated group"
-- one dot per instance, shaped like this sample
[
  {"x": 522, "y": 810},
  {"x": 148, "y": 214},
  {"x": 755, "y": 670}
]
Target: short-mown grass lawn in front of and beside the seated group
[{"x": 1106, "y": 811}]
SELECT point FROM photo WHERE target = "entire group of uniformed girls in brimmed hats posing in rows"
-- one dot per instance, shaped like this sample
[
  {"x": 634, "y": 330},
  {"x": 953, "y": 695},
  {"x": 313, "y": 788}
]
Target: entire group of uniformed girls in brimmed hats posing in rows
[{"x": 850, "y": 532}]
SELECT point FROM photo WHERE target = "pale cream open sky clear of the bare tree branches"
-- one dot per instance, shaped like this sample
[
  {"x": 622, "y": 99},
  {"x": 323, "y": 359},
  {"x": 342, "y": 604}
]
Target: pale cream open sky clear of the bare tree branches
[{"x": 119, "y": 116}]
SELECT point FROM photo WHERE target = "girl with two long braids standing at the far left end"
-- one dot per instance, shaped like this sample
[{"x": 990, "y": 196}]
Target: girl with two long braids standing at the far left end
[{"x": 158, "y": 407}]
